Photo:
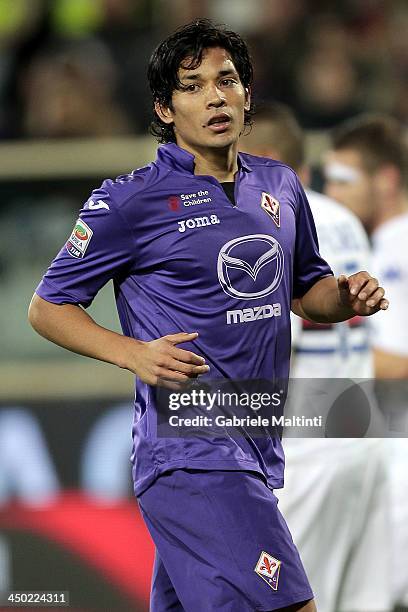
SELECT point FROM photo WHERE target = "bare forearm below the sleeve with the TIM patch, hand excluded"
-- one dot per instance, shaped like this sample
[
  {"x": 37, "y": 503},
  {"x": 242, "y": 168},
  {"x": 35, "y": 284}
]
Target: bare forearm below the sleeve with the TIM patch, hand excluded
[{"x": 71, "y": 327}]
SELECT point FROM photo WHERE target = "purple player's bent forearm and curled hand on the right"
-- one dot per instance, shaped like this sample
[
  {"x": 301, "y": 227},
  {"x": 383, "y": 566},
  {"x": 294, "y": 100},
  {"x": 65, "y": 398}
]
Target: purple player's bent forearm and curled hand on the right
[{"x": 332, "y": 300}]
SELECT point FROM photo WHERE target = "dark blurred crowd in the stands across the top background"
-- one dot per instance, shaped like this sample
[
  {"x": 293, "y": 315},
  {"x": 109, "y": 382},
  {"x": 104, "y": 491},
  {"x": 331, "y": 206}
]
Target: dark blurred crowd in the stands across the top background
[{"x": 72, "y": 68}]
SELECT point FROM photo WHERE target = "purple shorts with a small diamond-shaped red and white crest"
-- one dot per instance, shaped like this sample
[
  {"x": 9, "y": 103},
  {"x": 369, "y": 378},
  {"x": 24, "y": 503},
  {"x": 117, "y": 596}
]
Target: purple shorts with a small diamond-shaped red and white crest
[{"x": 221, "y": 544}]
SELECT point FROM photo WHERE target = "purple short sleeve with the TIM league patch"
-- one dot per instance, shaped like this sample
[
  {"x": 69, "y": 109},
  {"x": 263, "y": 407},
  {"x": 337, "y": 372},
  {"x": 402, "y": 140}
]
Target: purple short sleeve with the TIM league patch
[{"x": 99, "y": 249}]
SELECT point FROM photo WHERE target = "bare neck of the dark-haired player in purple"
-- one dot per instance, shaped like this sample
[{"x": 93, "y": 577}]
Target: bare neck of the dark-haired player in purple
[{"x": 219, "y": 163}]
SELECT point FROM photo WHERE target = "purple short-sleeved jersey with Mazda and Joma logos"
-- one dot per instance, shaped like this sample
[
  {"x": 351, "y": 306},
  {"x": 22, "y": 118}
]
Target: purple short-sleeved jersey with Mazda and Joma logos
[{"x": 183, "y": 258}]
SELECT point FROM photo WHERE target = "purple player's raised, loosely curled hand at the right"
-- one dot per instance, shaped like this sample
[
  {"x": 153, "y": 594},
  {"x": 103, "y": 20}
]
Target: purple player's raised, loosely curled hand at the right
[{"x": 361, "y": 293}]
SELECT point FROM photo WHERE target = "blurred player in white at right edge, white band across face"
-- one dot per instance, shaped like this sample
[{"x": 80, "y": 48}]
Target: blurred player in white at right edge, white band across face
[{"x": 366, "y": 169}]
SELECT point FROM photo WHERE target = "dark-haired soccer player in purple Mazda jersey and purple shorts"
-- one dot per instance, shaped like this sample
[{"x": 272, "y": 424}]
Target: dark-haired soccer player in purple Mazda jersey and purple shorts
[{"x": 198, "y": 234}]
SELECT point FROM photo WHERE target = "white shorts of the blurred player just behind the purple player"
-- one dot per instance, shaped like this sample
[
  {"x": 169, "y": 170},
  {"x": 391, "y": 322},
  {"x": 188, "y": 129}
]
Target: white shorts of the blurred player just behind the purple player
[{"x": 336, "y": 503}]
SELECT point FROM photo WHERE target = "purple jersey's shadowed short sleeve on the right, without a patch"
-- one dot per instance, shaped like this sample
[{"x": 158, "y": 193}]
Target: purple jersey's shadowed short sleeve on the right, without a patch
[{"x": 309, "y": 266}]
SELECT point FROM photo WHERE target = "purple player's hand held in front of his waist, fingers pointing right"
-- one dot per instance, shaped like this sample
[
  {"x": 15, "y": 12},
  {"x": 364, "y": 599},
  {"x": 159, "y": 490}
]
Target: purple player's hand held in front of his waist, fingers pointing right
[{"x": 160, "y": 362}]
